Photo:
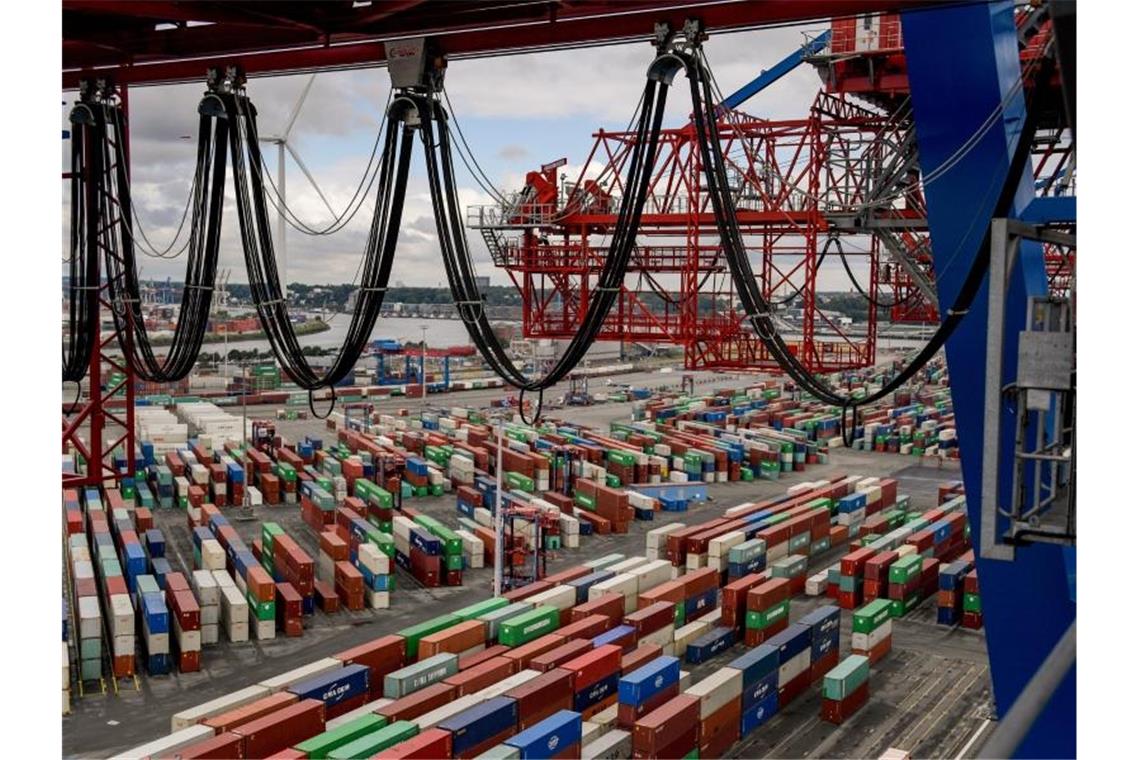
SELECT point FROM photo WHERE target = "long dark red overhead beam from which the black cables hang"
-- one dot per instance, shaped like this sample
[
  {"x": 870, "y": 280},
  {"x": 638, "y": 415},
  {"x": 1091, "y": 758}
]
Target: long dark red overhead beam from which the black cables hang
[{"x": 617, "y": 24}]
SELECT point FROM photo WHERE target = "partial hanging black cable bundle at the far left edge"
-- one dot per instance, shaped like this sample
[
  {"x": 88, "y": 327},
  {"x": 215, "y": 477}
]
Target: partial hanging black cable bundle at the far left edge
[{"x": 84, "y": 263}]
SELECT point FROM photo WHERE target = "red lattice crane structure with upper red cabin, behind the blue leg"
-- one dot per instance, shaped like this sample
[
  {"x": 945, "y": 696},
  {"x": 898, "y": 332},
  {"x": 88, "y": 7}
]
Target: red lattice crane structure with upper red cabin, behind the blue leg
[{"x": 844, "y": 181}]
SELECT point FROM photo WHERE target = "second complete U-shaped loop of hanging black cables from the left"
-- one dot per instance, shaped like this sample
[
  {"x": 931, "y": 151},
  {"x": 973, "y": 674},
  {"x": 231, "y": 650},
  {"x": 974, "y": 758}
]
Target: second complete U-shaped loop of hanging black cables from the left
[{"x": 257, "y": 242}]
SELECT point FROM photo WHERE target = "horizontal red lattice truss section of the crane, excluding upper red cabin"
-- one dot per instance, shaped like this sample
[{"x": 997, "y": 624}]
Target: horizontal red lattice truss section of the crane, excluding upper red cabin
[{"x": 794, "y": 182}]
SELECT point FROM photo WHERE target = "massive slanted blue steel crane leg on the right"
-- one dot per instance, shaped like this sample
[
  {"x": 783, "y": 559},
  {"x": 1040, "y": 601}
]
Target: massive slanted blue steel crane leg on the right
[{"x": 962, "y": 61}]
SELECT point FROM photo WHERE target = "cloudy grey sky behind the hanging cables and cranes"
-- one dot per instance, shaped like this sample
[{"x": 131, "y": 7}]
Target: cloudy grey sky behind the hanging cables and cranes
[{"x": 517, "y": 113}]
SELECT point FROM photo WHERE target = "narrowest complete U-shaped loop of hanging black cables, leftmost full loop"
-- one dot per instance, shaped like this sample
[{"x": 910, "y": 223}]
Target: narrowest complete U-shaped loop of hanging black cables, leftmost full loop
[{"x": 124, "y": 288}]
